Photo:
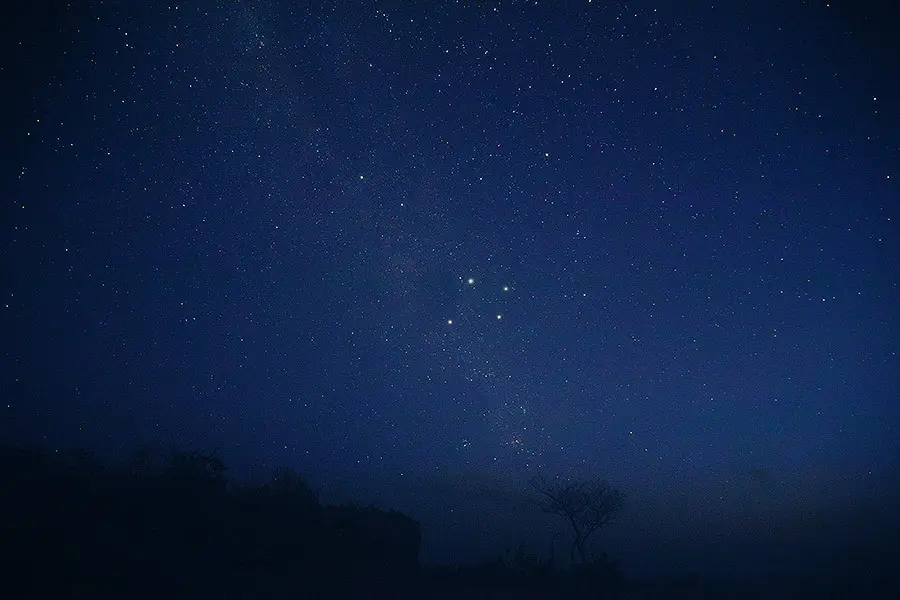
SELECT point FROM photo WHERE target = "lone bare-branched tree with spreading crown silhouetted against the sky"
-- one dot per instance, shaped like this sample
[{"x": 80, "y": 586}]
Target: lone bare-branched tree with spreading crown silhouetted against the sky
[{"x": 586, "y": 504}]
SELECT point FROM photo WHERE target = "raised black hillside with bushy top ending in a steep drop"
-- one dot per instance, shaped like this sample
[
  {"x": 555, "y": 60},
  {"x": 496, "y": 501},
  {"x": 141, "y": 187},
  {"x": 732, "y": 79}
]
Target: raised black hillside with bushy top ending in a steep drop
[{"x": 73, "y": 528}]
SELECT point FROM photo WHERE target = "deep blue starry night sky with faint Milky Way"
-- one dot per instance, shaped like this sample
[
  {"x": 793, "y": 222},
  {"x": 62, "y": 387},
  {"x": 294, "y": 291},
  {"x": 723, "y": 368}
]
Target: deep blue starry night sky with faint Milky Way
[{"x": 420, "y": 251}]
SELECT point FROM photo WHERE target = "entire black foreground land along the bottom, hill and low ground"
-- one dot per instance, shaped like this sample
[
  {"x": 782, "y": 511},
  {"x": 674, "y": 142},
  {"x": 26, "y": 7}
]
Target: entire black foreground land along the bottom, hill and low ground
[{"x": 72, "y": 527}]
